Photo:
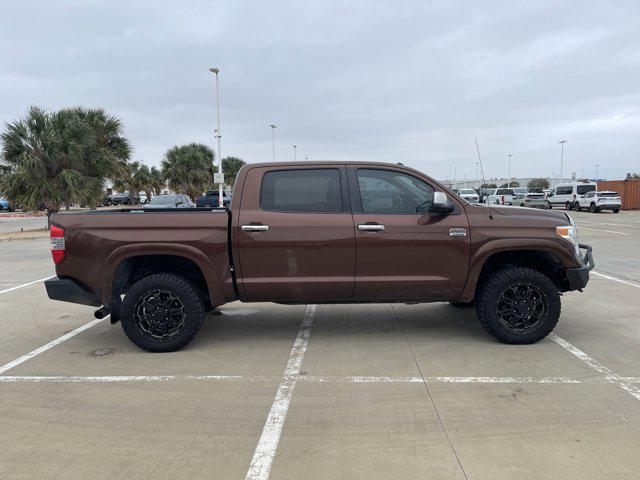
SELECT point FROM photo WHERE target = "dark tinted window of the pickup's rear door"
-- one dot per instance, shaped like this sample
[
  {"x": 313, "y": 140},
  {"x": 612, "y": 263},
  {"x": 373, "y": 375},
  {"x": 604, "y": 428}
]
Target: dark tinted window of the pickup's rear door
[{"x": 304, "y": 190}]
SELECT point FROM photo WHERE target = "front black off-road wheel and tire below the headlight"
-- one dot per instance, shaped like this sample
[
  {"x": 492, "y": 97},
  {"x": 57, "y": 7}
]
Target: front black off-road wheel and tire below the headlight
[{"x": 518, "y": 305}]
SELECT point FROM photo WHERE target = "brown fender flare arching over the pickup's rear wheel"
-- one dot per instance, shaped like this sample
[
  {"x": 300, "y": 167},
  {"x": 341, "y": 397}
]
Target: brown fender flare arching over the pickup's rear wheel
[{"x": 120, "y": 254}]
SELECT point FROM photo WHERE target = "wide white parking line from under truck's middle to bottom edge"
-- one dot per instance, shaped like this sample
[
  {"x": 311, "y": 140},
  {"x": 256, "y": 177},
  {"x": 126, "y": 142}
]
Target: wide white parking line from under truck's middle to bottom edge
[{"x": 268, "y": 444}]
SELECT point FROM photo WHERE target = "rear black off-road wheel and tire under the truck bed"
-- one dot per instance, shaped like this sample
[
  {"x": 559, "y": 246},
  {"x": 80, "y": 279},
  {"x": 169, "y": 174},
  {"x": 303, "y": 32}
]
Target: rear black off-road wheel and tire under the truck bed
[{"x": 162, "y": 312}]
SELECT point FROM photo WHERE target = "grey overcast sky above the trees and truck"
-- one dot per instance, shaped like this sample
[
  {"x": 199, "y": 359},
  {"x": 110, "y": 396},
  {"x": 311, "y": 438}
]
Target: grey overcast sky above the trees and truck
[{"x": 400, "y": 81}]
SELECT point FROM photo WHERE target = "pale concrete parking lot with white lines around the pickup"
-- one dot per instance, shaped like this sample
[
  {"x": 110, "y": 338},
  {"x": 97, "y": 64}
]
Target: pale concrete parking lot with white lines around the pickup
[{"x": 327, "y": 391}]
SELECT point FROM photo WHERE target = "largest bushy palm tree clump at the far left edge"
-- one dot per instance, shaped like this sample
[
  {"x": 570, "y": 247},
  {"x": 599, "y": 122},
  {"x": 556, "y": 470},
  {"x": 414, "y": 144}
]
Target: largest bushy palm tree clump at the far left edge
[{"x": 61, "y": 157}]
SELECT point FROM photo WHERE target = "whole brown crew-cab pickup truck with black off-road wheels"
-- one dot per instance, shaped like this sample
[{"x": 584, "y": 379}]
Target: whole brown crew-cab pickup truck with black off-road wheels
[{"x": 319, "y": 232}]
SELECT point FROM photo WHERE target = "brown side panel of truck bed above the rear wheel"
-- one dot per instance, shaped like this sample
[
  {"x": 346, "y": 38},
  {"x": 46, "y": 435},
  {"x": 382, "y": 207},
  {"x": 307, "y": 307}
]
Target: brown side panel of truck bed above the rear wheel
[{"x": 99, "y": 242}]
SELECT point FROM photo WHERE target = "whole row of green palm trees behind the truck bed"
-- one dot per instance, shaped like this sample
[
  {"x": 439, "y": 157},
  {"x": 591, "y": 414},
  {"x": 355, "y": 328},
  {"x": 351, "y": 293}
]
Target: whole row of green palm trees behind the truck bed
[{"x": 50, "y": 160}]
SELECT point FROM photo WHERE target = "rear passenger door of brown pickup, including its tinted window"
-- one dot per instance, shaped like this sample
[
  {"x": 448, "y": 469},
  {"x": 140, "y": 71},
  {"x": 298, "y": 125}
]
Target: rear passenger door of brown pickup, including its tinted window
[{"x": 296, "y": 240}]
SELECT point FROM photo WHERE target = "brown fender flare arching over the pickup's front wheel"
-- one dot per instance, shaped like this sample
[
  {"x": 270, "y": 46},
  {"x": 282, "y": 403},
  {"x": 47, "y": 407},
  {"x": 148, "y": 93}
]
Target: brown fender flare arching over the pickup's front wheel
[{"x": 482, "y": 254}]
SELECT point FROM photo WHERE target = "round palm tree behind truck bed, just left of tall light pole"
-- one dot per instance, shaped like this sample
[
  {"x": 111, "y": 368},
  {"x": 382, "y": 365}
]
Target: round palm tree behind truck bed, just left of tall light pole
[{"x": 189, "y": 168}]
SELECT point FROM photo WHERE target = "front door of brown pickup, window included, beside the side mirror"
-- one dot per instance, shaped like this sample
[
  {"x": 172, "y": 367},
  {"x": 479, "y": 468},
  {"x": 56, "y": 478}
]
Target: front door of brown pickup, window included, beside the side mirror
[{"x": 404, "y": 251}]
